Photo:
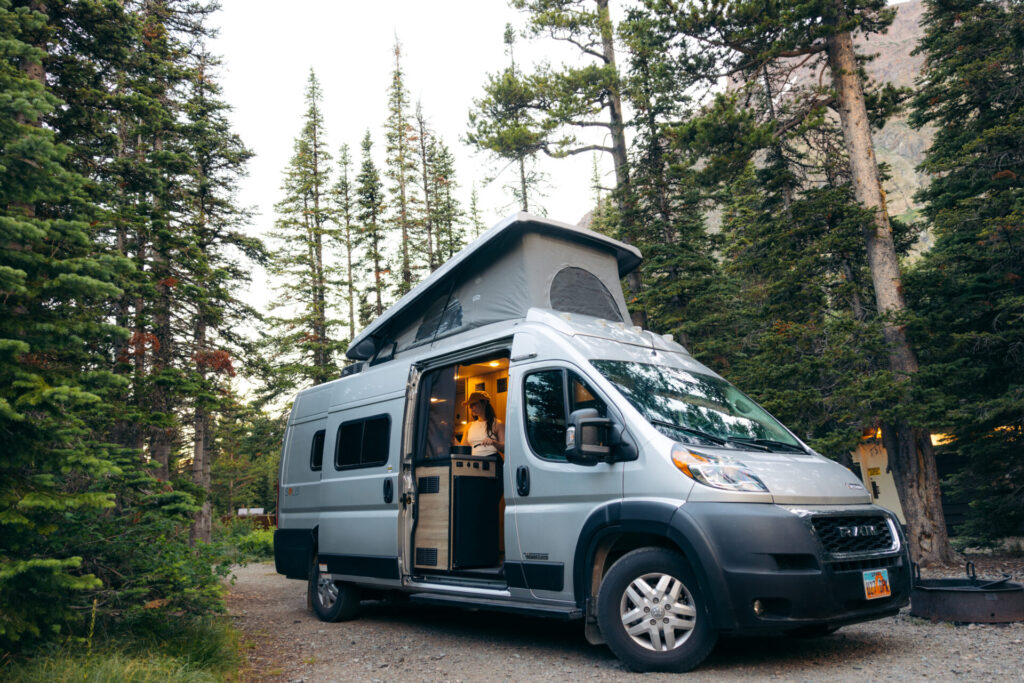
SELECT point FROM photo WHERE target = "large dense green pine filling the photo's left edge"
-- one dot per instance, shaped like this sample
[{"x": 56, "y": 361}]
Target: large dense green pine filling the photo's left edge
[{"x": 52, "y": 383}]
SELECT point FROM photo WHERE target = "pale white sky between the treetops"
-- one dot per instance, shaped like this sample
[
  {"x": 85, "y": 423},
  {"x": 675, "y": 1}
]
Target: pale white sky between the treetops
[{"x": 449, "y": 49}]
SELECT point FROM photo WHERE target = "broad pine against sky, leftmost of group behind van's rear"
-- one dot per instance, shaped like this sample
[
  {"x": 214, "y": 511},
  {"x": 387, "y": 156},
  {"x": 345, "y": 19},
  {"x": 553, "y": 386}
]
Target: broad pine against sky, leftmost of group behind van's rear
[{"x": 306, "y": 337}]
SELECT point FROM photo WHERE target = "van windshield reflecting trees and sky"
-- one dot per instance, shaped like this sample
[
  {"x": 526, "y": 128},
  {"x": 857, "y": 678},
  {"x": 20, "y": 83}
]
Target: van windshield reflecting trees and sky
[{"x": 695, "y": 408}]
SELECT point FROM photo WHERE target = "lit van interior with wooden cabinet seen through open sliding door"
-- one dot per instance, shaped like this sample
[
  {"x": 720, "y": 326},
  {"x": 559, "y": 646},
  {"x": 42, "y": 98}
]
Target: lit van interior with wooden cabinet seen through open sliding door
[{"x": 460, "y": 507}]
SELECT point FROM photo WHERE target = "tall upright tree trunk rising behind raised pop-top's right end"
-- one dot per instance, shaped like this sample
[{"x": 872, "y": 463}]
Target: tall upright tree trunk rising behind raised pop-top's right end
[{"x": 624, "y": 197}]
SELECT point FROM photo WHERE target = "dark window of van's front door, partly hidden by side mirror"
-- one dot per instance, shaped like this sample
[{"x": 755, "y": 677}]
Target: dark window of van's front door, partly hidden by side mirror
[{"x": 548, "y": 405}]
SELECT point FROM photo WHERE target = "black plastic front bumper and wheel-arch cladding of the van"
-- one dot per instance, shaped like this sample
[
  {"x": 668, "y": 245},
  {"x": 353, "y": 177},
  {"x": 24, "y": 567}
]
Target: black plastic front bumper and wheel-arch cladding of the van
[{"x": 766, "y": 553}]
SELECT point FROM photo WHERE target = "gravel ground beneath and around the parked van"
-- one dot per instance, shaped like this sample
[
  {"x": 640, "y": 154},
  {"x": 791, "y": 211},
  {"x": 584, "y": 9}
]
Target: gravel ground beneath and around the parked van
[{"x": 413, "y": 643}]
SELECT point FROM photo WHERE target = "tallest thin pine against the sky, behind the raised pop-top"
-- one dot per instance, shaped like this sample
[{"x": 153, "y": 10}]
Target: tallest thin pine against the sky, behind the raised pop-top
[{"x": 401, "y": 169}]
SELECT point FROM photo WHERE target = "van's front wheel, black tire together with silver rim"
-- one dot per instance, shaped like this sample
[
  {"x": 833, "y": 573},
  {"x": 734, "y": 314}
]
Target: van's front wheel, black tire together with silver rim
[{"x": 634, "y": 593}]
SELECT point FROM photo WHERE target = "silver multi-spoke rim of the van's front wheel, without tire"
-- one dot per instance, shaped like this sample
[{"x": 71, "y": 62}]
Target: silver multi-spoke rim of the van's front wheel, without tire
[{"x": 658, "y": 613}]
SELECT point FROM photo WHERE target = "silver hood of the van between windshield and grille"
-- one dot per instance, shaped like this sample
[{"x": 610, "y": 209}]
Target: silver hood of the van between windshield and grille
[{"x": 806, "y": 480}]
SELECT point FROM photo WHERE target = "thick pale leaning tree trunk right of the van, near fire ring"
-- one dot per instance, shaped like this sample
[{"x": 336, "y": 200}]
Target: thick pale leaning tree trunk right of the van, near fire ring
[{"x": 910, "y": 449}]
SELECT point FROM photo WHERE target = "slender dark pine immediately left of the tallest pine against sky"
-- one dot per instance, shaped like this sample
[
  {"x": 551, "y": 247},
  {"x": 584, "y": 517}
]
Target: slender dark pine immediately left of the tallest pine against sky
[{"x": 370, "y": 200}]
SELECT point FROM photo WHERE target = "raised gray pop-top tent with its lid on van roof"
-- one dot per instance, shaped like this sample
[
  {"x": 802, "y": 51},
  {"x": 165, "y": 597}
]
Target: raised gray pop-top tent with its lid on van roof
[{"x": 523, "y": 263}]
